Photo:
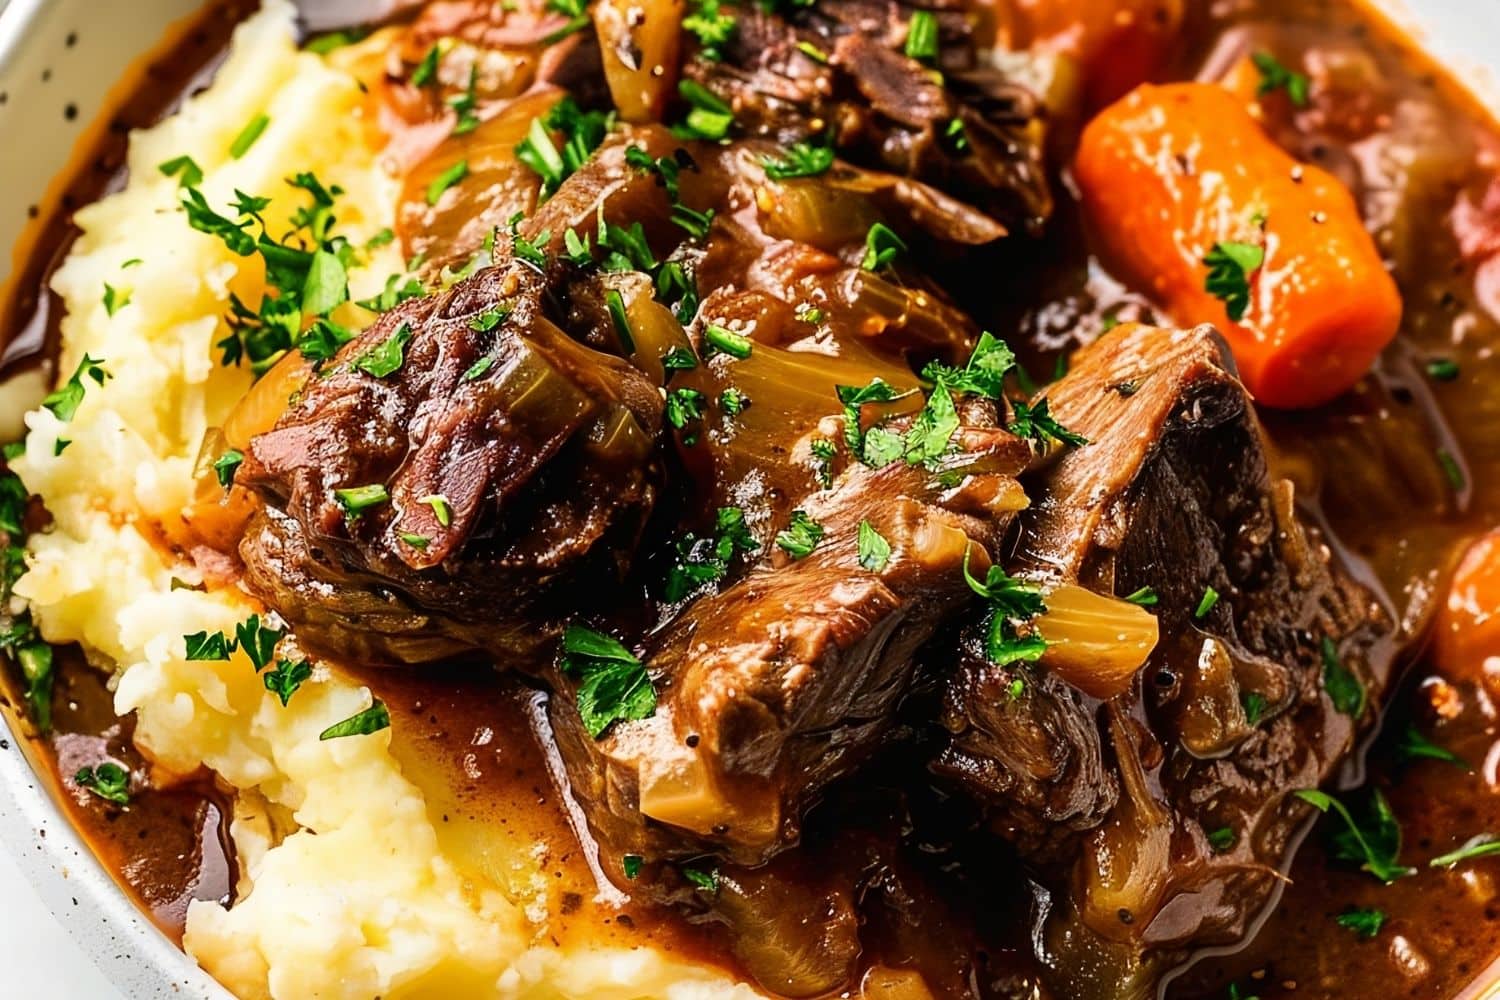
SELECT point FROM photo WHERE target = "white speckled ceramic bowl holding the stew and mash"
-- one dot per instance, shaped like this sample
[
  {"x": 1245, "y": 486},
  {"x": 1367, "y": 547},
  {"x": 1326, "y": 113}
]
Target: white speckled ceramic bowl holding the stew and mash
[{"x": 59, "y": 61}]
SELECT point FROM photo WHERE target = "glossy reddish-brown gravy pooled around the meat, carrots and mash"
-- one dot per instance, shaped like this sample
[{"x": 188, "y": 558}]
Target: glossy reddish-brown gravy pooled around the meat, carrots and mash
[{"x": 952, "y": 900}]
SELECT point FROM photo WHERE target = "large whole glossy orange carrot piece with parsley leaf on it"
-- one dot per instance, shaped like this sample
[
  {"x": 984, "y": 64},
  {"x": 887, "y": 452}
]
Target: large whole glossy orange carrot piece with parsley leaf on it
[{"x": 1172, "y": 173}]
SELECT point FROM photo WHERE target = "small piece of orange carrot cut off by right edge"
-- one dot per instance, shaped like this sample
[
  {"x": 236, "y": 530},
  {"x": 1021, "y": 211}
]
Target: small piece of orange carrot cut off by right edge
[{"x": 1468, "y": 630}]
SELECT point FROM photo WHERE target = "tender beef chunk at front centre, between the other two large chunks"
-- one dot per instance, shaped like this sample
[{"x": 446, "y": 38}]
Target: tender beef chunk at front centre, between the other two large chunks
[{"x": 788, "y": 678}]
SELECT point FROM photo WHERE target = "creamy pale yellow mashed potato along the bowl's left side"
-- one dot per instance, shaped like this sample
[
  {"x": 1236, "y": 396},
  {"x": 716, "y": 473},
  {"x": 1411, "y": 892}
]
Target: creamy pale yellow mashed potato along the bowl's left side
[{"x": 346, "y": 891}]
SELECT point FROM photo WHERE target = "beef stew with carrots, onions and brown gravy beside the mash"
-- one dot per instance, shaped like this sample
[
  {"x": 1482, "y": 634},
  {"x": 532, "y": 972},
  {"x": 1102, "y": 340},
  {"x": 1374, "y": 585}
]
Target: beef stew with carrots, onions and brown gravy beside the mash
[{"x": 875, "y": 660}]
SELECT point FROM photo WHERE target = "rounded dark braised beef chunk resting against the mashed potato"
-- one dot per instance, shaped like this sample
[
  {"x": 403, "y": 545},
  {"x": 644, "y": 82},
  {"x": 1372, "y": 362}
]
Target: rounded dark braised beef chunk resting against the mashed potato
[{"x": 502, "y": 458}]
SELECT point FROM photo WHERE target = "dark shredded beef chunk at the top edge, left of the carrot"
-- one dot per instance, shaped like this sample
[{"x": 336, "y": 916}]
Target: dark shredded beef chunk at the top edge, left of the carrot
[{"x": 971, "y": 133}]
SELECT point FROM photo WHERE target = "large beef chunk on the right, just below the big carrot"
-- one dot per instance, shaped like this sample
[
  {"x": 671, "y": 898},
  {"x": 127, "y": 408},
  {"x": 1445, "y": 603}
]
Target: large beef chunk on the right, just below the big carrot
[{"x": 1165, "y": 813}]
